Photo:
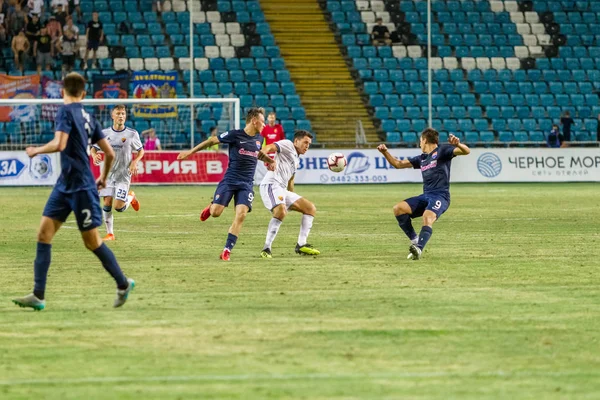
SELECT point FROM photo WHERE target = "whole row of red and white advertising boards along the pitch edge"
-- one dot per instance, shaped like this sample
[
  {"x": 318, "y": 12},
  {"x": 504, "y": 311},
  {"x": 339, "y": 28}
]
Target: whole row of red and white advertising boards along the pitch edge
[{"x": 364, "y": 166}]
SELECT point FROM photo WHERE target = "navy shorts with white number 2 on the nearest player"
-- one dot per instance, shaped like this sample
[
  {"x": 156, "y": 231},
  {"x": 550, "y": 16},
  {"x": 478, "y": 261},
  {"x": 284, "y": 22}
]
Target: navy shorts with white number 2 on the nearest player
[{"x": 85, "y": 204}]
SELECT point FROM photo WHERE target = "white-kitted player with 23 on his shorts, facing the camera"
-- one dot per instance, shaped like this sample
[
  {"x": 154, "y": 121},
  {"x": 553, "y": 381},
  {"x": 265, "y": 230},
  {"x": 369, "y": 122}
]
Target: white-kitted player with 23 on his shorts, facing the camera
[{"x": 124, "y": 141}]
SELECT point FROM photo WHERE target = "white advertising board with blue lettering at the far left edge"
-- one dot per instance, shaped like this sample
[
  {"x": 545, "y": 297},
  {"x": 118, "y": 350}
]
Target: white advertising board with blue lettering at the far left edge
[{"x": 16, "y": 169}]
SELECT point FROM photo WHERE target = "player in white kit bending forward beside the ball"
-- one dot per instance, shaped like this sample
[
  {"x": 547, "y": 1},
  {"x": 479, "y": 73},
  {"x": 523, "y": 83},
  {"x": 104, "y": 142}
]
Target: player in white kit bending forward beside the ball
[{"x": 277, "y": 191}]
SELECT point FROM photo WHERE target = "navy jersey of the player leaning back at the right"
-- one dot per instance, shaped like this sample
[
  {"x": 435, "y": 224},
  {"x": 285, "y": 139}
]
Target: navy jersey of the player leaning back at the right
[{"x": 435, "y": 168}]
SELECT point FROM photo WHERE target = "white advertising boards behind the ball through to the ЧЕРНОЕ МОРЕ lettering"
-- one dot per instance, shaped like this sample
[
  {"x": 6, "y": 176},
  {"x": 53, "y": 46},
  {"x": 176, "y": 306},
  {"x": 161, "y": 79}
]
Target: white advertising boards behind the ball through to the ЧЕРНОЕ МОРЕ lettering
[{"x": 482, "y": 165}]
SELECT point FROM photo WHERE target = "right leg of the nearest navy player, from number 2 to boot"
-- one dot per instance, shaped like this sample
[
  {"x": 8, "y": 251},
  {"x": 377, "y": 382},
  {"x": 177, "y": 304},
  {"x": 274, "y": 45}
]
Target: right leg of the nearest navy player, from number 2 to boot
[{"x": 85, "y": 206}]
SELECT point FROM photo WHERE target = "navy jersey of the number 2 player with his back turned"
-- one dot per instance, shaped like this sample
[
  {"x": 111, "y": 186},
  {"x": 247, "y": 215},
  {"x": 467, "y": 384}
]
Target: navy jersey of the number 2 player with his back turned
[{"x": 76, "y": 173}]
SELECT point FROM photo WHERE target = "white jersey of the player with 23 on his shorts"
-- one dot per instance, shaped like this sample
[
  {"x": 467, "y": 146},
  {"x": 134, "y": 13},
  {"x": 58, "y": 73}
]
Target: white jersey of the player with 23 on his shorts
[{"x": 123, "y": 142}]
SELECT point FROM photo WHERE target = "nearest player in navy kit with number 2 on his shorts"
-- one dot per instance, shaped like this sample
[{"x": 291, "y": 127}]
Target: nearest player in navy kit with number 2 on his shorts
[{"x": 76, "y": 191}]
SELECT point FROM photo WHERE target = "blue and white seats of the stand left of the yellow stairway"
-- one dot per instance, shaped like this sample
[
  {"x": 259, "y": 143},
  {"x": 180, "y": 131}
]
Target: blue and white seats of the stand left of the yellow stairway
[{"x": 235, "y": 54}]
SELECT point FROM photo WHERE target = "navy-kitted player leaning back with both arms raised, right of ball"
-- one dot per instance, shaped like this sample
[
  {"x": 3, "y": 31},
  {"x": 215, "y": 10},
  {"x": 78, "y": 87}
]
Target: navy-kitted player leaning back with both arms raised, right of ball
[{"x": 434, "y": 164}]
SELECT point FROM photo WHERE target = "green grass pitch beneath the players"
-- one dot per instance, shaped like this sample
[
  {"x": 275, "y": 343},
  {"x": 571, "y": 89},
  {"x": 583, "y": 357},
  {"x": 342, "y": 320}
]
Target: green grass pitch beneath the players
[{"x": 505, "y": 303}]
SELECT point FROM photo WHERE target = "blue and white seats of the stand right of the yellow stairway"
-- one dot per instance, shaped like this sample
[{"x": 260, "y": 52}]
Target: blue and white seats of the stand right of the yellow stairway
[{"x": 503, "y": 71}]
